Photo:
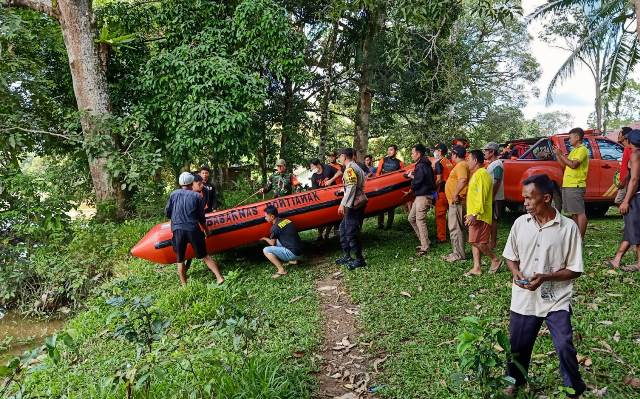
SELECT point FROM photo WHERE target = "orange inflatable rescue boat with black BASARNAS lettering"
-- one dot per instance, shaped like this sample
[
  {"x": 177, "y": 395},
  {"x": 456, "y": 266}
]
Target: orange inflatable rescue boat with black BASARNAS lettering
[{"x": 232, "y": 228}]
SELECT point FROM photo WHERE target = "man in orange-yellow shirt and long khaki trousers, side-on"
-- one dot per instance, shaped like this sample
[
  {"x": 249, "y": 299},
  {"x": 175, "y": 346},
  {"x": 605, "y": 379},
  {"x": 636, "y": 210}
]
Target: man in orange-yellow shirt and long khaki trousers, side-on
[{"x": 456, "y": 191}]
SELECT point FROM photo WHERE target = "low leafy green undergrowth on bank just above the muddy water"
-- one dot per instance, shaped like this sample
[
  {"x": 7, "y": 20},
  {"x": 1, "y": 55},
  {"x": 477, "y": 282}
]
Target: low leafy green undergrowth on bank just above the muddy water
[{"x": 62, "y": 271}]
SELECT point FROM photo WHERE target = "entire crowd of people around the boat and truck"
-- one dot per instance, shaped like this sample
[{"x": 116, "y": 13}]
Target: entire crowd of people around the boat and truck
[{"x": 543, "y": 250}]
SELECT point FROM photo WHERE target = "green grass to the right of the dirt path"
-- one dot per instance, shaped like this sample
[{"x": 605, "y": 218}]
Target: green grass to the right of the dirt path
[{"x": 418, "y": 332}]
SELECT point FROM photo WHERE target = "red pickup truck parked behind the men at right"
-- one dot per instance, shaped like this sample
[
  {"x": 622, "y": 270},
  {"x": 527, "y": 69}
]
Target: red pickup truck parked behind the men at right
[{"x": 604, "y": 161}]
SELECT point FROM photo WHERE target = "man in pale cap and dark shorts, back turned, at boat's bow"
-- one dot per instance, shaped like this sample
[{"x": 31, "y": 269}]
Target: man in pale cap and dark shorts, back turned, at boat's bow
[{"x": 185, "y": 208}]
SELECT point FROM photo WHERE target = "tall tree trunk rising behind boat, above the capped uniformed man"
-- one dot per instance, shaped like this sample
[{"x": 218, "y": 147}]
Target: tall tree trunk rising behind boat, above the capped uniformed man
[{"x": 375, "y": 25}]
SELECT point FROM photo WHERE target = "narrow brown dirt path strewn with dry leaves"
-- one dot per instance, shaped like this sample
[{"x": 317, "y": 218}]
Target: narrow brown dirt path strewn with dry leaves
[{"x": 345, "y": 364}]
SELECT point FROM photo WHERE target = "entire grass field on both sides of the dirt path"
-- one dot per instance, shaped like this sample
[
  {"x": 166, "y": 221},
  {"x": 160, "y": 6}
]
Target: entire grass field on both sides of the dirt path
[{"x": 211, "y": 346}]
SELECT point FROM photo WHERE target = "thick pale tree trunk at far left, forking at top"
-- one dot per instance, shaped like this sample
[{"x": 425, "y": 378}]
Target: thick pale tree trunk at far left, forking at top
[{"x": 90, "y": 88}]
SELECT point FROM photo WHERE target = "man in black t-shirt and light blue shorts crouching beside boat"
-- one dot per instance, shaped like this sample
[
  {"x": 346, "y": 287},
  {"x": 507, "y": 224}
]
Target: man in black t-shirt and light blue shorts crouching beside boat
[{"x": 284, "y": 243}]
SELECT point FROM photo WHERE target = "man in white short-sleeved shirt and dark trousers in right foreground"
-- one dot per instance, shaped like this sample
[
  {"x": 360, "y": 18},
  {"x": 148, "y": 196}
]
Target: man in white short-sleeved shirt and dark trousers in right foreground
[{"x": 544, "y": 254}]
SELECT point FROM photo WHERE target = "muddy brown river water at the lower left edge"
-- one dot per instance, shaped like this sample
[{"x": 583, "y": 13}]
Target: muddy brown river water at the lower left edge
[{"x": 18, "y": 334}]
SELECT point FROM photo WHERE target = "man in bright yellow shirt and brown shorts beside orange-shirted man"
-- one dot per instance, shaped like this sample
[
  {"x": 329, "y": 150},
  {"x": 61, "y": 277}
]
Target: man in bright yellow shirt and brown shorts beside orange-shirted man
[{"x": 480, "y": 213}]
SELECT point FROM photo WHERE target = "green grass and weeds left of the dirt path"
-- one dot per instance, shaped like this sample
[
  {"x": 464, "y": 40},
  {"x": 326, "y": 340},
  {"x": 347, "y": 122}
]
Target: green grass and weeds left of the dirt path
[{"x": 263, "y": 365}]
